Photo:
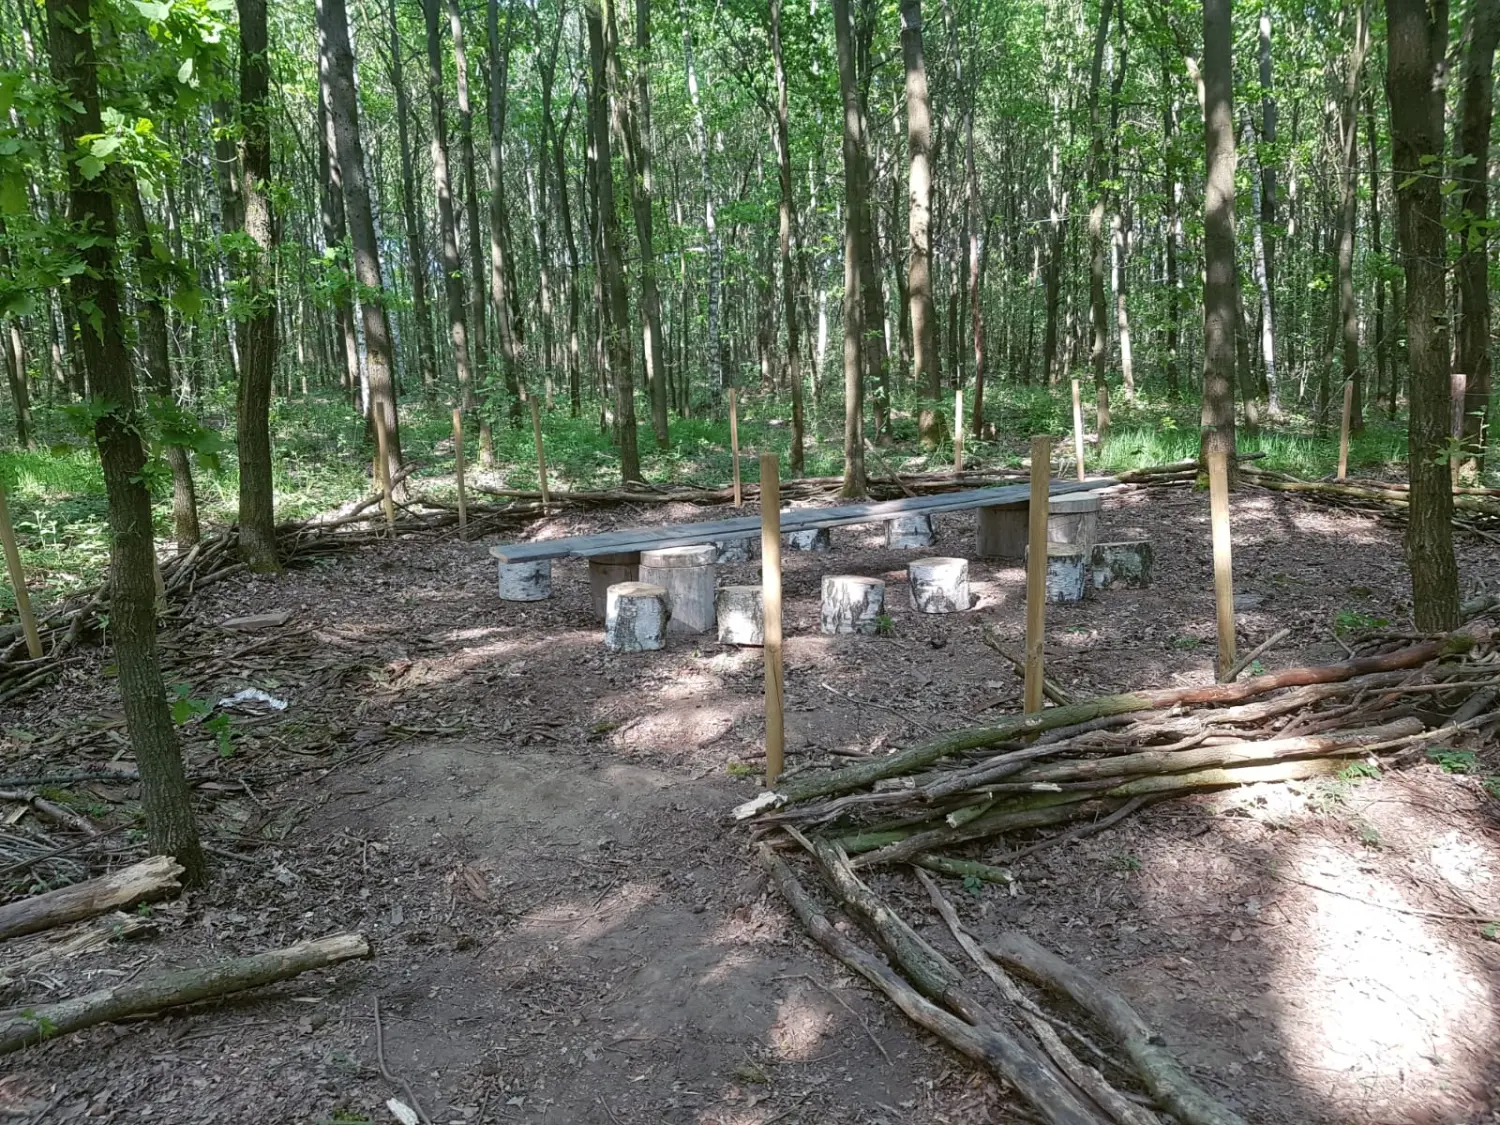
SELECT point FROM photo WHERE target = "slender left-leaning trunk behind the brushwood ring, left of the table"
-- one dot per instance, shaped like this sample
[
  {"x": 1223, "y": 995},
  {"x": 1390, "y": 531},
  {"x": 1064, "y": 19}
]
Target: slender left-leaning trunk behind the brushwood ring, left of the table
[{"x": 344, "y": 109}]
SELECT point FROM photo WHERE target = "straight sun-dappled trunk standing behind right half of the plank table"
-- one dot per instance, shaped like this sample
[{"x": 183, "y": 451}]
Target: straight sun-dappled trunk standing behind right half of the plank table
[{"x": 919, "y": 269}]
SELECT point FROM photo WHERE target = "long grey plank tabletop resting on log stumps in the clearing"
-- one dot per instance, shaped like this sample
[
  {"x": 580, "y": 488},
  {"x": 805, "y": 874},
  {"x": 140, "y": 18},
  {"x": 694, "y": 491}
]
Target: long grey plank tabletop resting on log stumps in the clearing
[{"x": 793, "y": 520}]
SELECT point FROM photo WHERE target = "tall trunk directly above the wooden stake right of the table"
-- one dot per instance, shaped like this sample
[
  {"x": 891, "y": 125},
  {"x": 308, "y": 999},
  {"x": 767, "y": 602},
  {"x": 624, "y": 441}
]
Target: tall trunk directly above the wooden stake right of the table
[{"x": 1220, "y": 284}]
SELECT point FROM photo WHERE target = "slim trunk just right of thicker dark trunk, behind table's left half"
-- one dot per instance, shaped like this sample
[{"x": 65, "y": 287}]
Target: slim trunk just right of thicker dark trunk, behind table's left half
[{"x": 637, "y": 137}]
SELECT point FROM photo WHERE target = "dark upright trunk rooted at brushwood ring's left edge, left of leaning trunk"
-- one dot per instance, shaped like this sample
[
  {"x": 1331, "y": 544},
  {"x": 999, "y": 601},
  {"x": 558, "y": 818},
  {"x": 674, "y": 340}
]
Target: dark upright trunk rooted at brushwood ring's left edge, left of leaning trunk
[{"x": 259, "y": 337}]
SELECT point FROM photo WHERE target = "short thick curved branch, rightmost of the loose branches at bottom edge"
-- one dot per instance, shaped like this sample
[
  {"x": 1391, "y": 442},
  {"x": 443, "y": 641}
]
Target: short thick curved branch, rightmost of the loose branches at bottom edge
[{"x": 1168, "y": 1082}]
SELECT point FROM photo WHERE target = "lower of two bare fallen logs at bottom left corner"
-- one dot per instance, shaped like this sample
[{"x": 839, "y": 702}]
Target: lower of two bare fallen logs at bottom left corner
[{"x": 173, "y": 989}]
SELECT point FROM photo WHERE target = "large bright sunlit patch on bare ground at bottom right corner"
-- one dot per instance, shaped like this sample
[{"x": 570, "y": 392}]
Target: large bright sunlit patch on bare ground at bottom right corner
[{"x": 1379, "y": 997}]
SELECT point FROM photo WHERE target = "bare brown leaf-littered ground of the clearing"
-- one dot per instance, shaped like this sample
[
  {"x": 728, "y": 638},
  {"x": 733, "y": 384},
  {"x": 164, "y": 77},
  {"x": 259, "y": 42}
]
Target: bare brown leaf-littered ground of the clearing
[{"x": 533, "y": 833}]
